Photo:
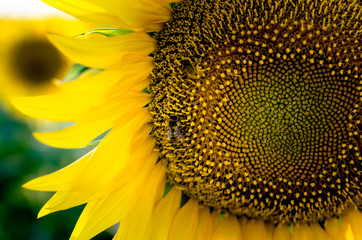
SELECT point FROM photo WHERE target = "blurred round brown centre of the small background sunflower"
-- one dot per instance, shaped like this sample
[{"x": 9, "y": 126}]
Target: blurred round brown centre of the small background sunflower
[{"x": 36, "y": 61}]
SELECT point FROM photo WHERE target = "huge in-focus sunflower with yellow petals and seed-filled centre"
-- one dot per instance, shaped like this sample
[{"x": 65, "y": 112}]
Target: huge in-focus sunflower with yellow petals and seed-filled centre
[{"x": 226, "y": 120}]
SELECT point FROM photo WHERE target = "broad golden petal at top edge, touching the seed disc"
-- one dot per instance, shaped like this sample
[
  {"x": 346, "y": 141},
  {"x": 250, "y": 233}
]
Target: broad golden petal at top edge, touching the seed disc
[{"x": 141, "y": 15}]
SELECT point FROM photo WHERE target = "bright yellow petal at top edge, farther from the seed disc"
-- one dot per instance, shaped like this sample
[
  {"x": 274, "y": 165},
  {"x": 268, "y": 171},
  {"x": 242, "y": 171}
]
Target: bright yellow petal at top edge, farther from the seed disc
[{"x": 86, "y": 11}]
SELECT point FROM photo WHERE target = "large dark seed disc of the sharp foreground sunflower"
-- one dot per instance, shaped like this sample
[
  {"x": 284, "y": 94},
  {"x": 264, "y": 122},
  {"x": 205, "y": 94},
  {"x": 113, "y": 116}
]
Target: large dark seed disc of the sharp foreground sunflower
[{"x": 257, "y": 106}]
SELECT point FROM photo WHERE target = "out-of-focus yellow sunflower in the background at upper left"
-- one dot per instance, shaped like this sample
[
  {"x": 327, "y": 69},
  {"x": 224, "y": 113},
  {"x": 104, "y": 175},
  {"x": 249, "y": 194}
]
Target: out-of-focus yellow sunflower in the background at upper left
[{"x": 28, "y": 61}]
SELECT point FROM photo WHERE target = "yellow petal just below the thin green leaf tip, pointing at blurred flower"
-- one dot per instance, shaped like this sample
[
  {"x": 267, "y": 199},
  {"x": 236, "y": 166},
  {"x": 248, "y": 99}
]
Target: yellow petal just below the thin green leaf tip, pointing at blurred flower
[{"x": 103, "y": 52}]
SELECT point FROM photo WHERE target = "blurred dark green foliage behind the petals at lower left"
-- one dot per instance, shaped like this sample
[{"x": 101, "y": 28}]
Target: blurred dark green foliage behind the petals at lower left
[{"x": 21, "y": 159}]
